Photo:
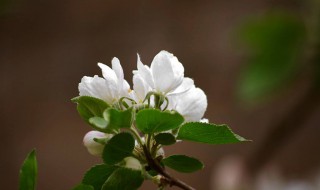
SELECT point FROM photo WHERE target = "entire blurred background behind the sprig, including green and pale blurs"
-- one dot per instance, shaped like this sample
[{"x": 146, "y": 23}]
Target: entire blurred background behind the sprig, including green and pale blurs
[{"x": 257, "y": 61}]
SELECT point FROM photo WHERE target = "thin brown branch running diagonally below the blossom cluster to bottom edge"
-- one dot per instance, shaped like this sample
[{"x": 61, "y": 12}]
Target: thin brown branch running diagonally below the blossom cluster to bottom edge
[{"x": 154, "y": 164}]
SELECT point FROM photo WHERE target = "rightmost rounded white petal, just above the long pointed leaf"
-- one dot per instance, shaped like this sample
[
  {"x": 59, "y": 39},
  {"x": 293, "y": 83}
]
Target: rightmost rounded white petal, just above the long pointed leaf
[{"x": 191, "y": 104}]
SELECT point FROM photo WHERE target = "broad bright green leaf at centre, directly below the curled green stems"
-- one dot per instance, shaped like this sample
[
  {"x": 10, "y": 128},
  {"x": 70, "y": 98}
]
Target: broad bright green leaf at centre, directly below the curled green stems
[{"x": 152, "y": 120}]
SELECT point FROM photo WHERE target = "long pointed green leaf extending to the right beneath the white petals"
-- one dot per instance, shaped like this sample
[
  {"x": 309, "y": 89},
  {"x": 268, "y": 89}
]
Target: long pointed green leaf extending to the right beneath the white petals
[{"x": 208, "y": 133}]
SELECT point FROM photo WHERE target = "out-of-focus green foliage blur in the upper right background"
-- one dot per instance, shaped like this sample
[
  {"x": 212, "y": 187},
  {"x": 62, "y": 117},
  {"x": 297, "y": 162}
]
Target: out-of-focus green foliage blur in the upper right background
[{"x": 276, "y": 42}]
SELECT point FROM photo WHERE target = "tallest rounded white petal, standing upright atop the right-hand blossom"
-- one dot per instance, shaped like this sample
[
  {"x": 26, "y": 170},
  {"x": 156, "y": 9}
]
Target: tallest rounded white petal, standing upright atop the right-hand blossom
[{"x": 167, "y": 72}]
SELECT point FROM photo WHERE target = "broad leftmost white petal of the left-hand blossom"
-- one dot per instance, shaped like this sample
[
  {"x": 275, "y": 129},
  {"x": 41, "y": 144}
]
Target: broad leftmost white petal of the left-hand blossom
[{"x": 95, "y": 87}]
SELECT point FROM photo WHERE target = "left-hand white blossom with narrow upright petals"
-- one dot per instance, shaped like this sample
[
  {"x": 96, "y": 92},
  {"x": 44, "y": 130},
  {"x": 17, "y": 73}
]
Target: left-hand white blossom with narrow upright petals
[{"x": 110, "y": 88}]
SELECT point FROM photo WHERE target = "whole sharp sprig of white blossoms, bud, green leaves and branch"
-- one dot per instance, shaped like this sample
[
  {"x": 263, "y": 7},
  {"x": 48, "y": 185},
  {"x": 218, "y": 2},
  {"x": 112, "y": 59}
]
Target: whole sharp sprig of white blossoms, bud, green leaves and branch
[{"x": 131, "y": 127}]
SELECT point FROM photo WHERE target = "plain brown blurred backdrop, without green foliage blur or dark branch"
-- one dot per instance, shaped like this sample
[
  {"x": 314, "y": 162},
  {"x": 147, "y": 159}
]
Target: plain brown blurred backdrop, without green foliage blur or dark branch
[{"x": 47, "y": 46}]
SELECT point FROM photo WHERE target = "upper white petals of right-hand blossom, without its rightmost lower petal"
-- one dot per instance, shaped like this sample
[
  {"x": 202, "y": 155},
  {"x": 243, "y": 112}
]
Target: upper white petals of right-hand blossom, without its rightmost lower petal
[{"x": 165, "y": 75}]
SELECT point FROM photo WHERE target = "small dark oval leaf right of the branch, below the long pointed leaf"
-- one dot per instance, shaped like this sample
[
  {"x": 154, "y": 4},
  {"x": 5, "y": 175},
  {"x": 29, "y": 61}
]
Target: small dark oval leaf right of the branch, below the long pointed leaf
[{"x": 182, "y": 163}]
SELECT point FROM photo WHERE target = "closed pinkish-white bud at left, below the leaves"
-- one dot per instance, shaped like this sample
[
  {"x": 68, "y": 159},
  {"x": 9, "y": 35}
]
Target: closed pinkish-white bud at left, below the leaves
[{"x": 93, "y": 147}]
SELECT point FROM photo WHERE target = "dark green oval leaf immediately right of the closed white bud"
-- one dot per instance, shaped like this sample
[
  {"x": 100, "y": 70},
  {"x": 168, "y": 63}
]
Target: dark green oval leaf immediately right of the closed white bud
[{"x": 117, "y": 148}]
